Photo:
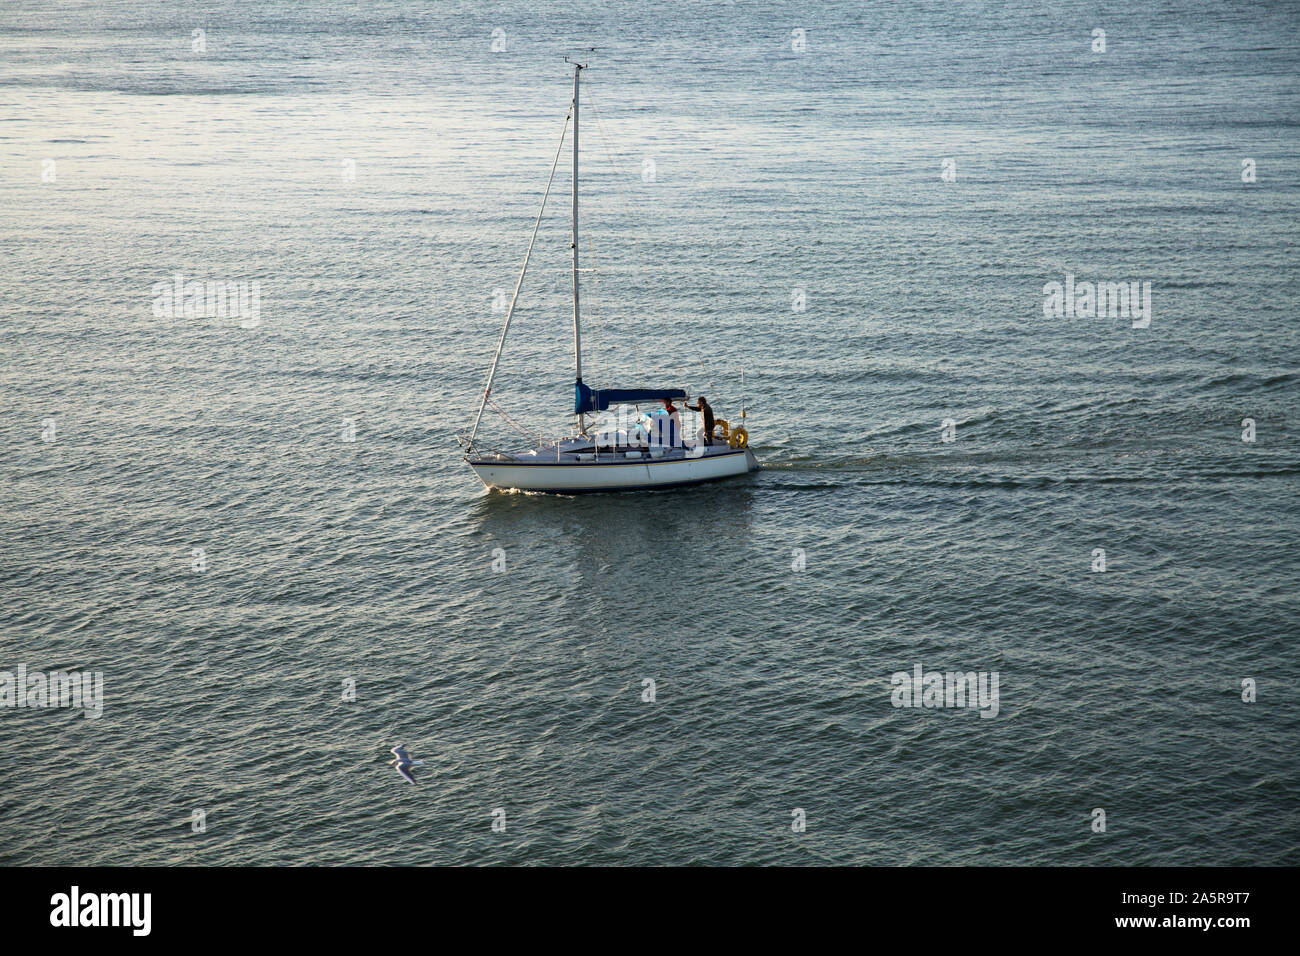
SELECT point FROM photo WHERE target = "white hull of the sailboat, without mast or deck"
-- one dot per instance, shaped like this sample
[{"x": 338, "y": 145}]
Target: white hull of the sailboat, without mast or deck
[{"x": 613, "y": 474}]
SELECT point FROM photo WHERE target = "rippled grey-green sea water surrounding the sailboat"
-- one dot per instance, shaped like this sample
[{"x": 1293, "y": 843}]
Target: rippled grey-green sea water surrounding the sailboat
[{"x": 378, "y": 167}]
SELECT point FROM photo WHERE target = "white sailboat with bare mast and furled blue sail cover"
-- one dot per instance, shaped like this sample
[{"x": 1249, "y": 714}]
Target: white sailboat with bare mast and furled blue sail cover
[{"x": 621, "y": 451}]
